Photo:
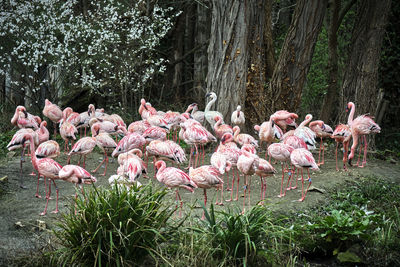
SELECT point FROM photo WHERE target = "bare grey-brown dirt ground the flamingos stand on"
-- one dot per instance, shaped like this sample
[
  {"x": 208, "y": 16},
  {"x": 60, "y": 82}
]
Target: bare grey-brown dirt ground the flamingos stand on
[{"x": 23, "y": 231}]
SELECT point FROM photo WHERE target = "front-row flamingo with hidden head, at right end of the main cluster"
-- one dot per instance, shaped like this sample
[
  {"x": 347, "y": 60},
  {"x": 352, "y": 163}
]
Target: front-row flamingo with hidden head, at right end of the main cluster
[{"x": 301, "y": 158}]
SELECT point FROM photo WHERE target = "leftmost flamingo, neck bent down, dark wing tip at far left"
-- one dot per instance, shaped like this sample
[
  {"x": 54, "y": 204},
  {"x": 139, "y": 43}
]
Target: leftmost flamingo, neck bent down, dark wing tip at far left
[{"x": 19, "y": 141}]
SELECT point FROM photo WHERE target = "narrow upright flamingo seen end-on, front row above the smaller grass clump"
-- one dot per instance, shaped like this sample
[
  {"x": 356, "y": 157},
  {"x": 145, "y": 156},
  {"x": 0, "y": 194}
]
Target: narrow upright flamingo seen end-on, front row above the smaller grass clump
[{"x": 247, "y": 164}]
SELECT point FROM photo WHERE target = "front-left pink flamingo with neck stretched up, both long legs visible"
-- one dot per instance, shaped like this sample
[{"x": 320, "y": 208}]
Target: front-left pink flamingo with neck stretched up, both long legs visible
[{"x": 46, "y": 167}]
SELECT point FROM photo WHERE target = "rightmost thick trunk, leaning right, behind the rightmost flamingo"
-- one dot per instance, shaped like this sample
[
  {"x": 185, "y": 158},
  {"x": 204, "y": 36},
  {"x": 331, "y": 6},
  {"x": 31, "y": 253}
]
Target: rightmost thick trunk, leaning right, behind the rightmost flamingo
[{"x": 361, "y": 74}]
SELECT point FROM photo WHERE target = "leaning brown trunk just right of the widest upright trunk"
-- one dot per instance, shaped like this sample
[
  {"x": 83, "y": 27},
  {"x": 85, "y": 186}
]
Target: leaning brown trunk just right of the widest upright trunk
[{"x": 294, "y": 61}]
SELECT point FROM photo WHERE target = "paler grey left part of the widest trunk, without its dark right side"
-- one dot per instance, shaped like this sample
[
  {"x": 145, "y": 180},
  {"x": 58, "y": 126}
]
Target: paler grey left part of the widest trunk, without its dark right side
[{"x": 227, "y": 55}]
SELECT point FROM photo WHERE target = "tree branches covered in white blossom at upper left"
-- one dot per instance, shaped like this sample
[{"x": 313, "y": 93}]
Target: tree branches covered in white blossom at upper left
[{"x": 107, "y": 47}]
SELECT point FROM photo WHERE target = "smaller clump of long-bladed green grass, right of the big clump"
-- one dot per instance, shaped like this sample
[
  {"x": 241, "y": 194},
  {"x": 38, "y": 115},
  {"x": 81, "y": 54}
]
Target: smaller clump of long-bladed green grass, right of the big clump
[{"x": 243, "y": 238}]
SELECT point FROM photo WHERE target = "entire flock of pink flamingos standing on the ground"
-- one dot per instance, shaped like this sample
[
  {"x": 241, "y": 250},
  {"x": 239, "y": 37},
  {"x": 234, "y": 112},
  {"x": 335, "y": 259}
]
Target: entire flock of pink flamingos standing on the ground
[{"x": 158, "y": 135}]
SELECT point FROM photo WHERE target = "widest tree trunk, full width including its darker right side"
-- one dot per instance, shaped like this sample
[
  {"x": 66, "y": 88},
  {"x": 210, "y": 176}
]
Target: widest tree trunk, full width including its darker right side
[{"x": 236, "y": 57}]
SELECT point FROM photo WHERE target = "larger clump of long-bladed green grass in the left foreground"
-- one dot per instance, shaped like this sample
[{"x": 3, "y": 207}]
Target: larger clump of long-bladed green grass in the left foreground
[{"x": 113, "y": 227}]
